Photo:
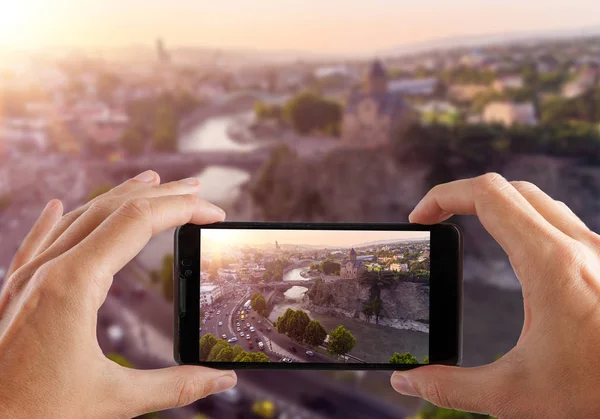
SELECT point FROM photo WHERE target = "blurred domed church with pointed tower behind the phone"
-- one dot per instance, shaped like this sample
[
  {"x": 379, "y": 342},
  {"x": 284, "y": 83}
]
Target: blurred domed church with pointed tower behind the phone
[{"x": 374, "y": 114}]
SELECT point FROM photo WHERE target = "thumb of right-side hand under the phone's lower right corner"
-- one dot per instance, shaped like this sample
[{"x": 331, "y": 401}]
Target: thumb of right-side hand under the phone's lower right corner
[{"x": 476, "y": 389}]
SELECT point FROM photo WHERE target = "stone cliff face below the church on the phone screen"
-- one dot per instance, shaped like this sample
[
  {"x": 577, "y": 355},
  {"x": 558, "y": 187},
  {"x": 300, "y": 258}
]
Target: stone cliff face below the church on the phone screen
[{"x": 405, "y": 305}]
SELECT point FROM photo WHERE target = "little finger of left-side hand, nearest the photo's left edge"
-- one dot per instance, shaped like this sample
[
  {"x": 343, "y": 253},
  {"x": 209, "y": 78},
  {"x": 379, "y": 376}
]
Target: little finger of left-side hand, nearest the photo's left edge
[{"x": 42, "y": 227}]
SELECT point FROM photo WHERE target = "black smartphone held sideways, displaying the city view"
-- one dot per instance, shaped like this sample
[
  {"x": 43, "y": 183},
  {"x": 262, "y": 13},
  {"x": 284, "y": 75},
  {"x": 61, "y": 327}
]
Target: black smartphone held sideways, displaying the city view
[{"x": 317, "y": 295}]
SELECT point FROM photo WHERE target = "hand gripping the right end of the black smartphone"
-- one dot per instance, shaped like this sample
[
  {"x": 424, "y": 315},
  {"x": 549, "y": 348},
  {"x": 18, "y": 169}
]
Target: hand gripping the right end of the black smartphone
[{"x": 554, "y": 369}]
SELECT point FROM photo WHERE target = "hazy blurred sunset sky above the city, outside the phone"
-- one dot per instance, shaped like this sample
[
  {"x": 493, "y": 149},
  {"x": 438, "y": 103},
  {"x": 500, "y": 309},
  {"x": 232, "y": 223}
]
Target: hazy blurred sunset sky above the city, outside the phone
[{"x": 332, "y": 26}]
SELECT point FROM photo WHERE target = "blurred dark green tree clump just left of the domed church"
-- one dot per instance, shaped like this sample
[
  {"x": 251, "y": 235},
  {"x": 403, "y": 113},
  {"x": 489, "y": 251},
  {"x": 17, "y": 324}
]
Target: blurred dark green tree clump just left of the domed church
[{"x": 308, "y": 112}]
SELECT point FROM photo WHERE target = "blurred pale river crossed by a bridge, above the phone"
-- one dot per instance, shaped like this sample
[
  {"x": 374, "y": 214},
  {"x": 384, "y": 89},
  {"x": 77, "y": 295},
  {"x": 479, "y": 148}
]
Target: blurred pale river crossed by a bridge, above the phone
[{"x": 219, "y": 184}]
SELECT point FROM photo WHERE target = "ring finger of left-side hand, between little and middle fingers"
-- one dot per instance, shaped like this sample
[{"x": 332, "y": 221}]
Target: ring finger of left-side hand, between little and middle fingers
[{"x": 141, "y": 181}]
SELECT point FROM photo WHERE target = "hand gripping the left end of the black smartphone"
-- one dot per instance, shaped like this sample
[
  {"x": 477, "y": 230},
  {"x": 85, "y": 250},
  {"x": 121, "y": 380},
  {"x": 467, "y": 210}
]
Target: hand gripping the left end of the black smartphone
[{"x": 51, "y": 363}]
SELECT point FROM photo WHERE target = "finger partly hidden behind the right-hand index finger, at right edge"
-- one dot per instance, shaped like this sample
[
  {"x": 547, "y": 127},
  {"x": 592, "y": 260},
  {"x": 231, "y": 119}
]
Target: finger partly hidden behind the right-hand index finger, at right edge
[{"x": 555, "y": 212}]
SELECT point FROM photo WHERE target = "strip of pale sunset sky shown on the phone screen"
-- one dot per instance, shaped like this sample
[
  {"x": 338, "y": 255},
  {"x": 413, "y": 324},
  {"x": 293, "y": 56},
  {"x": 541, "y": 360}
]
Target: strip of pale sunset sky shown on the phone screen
[{"x": 307, "y": 237}]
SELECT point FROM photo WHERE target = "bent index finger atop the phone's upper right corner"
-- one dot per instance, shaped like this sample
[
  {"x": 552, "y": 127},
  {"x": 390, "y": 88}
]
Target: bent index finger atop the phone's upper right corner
[{"x": 502, "y": 210}]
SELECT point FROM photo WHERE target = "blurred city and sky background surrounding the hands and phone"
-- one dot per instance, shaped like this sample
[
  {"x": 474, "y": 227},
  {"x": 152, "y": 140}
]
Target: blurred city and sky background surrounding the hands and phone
[{"x": 297, "y": 111}]
